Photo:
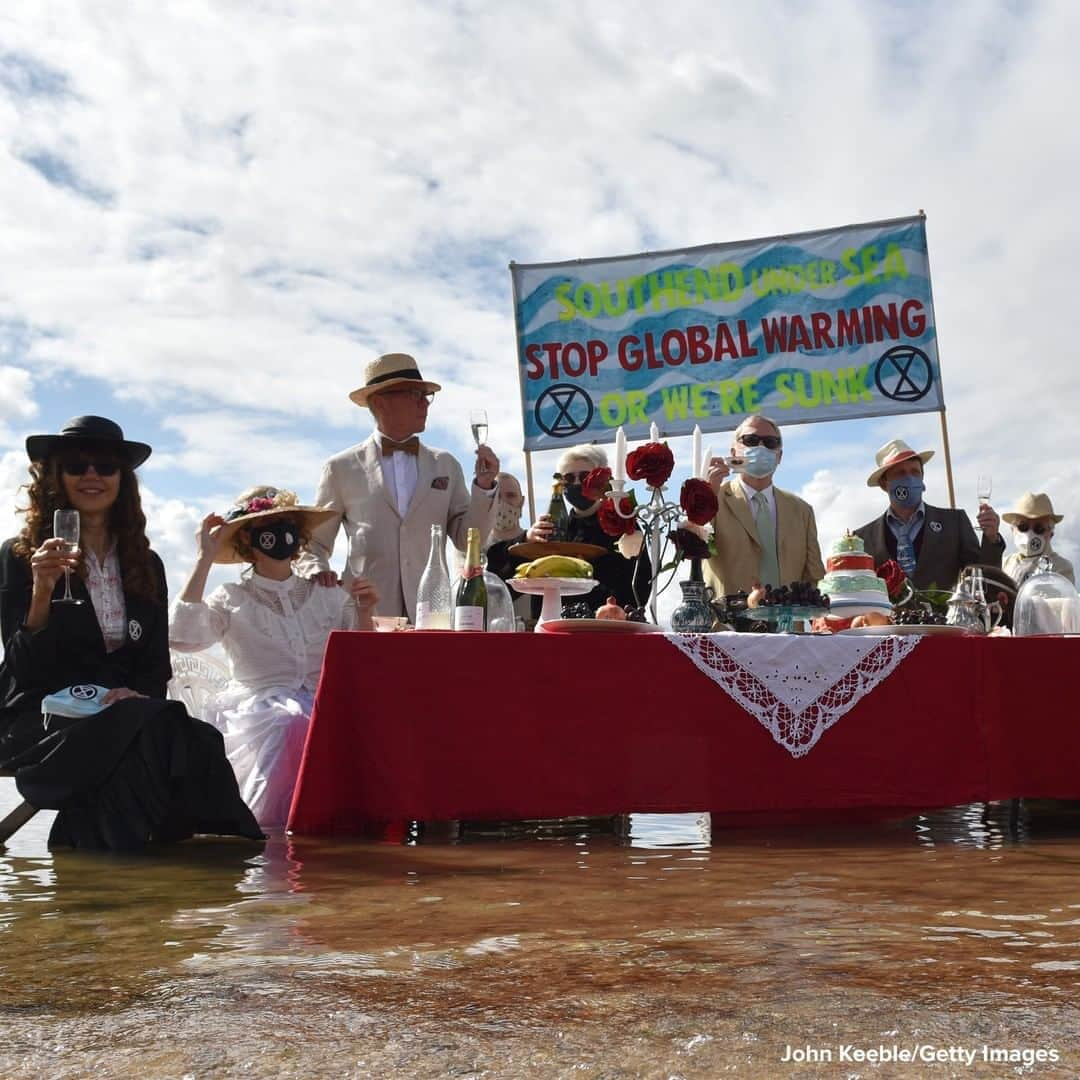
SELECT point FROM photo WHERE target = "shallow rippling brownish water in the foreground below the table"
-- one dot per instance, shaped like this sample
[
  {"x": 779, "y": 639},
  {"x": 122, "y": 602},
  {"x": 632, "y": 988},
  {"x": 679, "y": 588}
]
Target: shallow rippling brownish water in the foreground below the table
[{"x": 638, "y": 948}]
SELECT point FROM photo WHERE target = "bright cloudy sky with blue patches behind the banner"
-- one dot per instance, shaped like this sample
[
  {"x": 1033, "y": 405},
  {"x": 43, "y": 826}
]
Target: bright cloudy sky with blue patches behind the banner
[{"x": 215, "y": 215}]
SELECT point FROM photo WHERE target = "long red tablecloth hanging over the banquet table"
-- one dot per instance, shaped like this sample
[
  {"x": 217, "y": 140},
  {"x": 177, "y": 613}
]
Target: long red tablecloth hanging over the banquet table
[{"x": 436, "y": 726}]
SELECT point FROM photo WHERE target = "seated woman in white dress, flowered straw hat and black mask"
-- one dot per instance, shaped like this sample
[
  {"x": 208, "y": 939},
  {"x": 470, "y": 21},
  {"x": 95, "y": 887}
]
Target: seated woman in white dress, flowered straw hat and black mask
[{"x": 274, "y": 627}]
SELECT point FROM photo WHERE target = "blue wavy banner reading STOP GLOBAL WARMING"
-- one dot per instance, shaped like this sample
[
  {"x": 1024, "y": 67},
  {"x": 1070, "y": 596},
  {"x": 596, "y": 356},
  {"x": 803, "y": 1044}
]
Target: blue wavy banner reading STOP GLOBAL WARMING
[{"x": 838, "y": 328}]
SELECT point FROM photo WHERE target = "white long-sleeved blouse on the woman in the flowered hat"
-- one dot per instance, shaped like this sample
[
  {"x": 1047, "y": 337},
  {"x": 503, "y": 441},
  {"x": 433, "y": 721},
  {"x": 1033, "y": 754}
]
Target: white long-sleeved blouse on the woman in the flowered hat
[{"x": 273, "y": 632}]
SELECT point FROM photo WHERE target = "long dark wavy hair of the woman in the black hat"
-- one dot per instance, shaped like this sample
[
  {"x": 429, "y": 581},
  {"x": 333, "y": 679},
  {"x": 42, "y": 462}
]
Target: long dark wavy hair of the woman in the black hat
[{"x": 127, "y": 523}]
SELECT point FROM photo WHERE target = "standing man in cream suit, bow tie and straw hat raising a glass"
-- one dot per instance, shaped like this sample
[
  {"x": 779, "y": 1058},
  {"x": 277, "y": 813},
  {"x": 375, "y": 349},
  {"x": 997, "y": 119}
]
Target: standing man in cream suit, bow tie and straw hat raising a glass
[{"x": 389, "y": 491}]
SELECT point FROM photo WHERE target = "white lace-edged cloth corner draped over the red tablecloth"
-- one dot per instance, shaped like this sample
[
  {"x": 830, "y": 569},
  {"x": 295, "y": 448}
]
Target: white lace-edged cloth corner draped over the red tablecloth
[{"x": 798, "y": 687}]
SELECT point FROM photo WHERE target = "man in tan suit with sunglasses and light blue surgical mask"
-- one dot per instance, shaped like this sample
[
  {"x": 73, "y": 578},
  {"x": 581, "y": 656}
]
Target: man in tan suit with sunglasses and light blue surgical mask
[{"x": 763, "y": 535}]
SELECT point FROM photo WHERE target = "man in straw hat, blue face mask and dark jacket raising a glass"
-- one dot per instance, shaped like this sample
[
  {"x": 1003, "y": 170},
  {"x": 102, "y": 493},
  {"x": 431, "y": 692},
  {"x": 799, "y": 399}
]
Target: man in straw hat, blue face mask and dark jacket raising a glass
[{"x": 931, "y": 544}]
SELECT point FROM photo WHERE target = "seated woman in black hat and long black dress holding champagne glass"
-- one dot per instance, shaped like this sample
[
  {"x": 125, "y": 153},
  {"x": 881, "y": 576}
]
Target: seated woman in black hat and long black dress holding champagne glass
[{"x": 140, "y": 771}]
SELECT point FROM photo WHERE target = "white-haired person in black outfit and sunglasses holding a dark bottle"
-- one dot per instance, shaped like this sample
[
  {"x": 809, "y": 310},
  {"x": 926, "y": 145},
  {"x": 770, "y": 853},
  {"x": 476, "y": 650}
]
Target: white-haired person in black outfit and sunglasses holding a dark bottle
[{"x": 628, "y": 580}]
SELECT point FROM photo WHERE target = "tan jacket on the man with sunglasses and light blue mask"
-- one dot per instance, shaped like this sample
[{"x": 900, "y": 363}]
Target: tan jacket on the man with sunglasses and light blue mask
[{"x": 738, "y": 565}]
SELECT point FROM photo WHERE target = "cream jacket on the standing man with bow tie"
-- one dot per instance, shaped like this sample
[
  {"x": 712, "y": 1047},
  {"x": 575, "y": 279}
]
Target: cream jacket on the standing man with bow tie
[{"x": 390, "y": 550}]
